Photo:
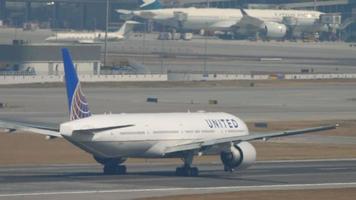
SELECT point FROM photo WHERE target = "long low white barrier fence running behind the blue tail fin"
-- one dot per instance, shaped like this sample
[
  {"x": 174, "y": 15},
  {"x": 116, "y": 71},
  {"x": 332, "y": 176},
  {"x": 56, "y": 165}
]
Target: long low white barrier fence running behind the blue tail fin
[{"x": 10, "y": 80}]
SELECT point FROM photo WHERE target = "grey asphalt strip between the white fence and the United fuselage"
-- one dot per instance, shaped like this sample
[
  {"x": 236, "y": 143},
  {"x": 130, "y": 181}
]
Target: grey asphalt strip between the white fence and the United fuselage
[{"x": 259, "y": 103}]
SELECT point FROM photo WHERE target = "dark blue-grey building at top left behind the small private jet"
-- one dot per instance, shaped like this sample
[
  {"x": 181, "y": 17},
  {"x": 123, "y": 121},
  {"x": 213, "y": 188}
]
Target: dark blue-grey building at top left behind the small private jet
[{"x": 74, "y": 14}]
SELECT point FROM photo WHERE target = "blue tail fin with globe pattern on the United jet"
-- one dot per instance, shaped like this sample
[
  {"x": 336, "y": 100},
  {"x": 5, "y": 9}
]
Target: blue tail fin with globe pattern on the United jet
[{"x": 77, "y": 103}]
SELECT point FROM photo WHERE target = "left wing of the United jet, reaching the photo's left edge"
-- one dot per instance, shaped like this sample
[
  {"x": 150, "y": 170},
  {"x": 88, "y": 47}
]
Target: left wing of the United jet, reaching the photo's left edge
[{"x": 44, "y": 129}]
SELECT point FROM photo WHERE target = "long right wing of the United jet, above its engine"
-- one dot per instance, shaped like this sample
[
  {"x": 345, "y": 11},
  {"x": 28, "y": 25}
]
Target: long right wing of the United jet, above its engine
[{"x": 203, "y": 144}]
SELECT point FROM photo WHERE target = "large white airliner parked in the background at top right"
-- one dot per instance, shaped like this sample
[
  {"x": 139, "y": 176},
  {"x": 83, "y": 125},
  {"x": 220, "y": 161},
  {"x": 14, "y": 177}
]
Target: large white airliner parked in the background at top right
[{"x": 270, "y": 23}]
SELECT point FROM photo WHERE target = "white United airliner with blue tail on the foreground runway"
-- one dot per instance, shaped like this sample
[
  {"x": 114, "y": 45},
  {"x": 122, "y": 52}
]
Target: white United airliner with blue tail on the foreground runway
[{"x": 112, "y": 138}]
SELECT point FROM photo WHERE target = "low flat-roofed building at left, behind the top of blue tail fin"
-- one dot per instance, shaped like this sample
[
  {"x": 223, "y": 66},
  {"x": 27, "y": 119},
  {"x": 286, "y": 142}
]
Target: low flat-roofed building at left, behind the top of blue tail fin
[{"x": 41, "y": 59}]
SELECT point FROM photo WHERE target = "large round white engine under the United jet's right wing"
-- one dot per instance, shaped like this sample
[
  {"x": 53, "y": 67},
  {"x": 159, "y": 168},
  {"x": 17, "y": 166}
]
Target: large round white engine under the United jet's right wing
[{"x": 240, "y": 156}]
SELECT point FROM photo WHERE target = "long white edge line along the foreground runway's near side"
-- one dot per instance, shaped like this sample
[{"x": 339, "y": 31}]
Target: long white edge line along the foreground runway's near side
[{"x": 227, "y": 188}]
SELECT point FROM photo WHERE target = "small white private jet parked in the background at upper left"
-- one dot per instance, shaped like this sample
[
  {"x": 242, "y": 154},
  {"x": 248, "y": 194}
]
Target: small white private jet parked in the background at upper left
[{"x": 93, "y": 37}]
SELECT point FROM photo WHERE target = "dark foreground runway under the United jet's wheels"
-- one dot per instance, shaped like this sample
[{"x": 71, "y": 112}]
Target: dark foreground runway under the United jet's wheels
[{"x": 149, "y": 180}]
